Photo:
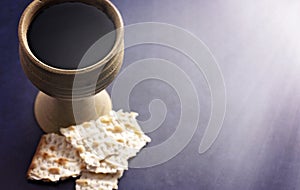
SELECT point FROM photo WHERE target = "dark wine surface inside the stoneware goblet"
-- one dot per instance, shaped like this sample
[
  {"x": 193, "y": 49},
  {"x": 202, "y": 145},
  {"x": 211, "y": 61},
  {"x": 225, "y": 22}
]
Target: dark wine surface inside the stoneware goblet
[{"x": 60, "y": 35}]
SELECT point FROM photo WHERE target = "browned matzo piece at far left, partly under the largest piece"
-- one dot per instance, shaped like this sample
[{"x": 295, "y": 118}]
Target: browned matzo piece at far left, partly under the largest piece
[{"x": 54, "y": 159}]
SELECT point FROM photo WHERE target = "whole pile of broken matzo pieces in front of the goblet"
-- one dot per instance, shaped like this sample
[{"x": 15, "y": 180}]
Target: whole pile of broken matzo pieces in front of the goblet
[{"x": 97, "y": 150}]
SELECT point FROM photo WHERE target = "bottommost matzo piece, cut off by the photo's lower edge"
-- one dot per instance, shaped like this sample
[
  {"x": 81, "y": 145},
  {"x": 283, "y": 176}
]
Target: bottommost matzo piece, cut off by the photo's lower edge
[{"x": 93, "y": 181}]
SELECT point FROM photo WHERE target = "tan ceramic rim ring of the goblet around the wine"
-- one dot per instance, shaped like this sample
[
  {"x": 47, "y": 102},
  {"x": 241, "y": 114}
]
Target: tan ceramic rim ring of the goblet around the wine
[{"x": 37, "y": 5}]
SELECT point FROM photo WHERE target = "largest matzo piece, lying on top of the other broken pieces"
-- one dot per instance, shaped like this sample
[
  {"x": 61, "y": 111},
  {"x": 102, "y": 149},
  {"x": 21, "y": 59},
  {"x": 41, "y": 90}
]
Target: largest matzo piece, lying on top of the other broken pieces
[{"x": 107, "y": 143}]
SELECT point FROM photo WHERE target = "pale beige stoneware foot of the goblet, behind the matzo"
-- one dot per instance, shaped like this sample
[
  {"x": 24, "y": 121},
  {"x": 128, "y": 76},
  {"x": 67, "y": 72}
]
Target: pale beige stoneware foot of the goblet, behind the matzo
[{"x": 52, "y": 114}]
